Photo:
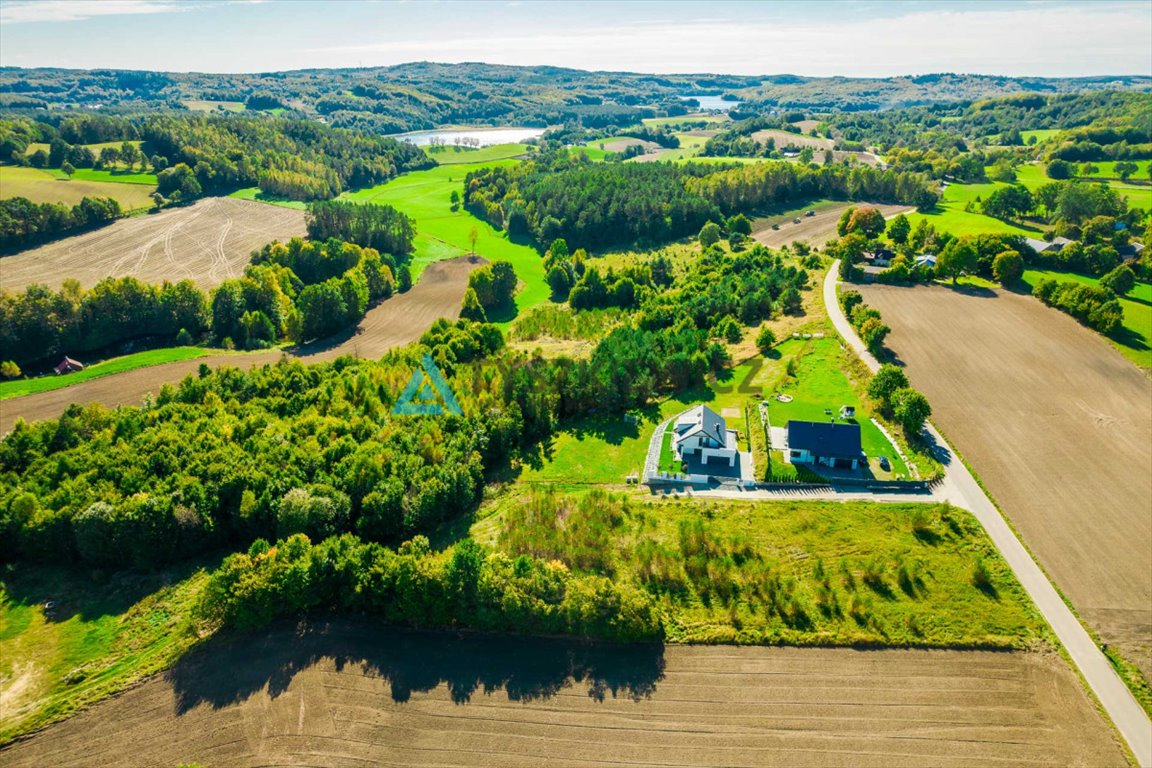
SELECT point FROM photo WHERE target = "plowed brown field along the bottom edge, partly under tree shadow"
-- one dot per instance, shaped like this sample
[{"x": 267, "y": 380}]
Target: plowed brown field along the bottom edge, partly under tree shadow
[{"x": 360, "y": 695}]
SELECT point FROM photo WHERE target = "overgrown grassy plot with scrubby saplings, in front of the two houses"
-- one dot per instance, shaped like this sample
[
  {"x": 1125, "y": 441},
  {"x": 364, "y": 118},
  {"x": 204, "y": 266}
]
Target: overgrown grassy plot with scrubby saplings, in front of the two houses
[{"x": 763, "y": 584}]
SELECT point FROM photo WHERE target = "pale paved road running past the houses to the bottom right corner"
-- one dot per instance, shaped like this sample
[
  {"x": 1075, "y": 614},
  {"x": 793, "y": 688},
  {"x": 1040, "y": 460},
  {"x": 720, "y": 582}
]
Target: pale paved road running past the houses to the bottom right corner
[{"x": 965, "y": 491}]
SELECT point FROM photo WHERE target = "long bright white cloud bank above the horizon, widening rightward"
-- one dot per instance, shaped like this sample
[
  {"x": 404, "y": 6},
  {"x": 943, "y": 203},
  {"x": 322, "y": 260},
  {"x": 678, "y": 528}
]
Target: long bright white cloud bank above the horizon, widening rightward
[{"x": 1106, "y": 39}]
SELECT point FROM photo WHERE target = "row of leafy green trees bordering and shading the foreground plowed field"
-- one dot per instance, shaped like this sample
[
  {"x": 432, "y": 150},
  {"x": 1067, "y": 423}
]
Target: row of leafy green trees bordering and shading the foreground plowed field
[{"x": 465, "y": 588}]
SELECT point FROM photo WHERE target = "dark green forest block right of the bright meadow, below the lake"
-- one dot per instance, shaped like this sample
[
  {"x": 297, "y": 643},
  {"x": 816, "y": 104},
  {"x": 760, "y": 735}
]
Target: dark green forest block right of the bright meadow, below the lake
[{"x": 602, "y": 206}]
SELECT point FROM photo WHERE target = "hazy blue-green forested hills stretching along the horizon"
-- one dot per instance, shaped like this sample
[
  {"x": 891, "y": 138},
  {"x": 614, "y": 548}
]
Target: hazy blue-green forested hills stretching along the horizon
[{"x": 426, "y": 95}]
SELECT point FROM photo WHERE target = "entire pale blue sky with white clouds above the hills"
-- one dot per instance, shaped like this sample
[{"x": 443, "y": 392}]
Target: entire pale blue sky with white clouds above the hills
[{"x": 863, "y": 39}]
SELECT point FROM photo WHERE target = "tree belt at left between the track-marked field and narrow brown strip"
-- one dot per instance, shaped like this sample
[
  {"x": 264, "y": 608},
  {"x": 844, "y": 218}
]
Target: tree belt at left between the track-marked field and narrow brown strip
[{"x": 300, "y": 291}]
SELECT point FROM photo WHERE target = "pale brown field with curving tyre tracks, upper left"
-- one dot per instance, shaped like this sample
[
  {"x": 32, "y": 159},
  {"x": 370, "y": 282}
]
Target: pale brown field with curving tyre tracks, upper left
[{"x": 208, "y": 244}]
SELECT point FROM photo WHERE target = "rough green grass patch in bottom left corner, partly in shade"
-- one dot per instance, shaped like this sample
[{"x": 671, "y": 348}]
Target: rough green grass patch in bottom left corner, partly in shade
[{"x": 101, "y": 636}]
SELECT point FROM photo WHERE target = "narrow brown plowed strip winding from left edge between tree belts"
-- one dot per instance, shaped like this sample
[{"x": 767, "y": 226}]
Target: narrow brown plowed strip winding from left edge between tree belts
[{"x": 395, "y": 323}]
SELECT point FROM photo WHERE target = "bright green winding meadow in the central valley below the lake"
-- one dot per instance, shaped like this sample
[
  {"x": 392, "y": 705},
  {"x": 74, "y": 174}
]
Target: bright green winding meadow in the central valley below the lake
[{"x": 443, "y": 233}]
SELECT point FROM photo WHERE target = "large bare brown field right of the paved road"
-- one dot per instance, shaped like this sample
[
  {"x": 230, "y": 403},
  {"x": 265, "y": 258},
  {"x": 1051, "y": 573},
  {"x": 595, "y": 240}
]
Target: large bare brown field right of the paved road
[{"x": 1058, "y": 425}]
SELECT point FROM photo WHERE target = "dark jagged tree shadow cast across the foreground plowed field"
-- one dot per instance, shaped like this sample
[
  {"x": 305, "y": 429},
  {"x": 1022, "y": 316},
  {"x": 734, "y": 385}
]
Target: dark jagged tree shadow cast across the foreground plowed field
[{"x": 411, "y": 663}]
